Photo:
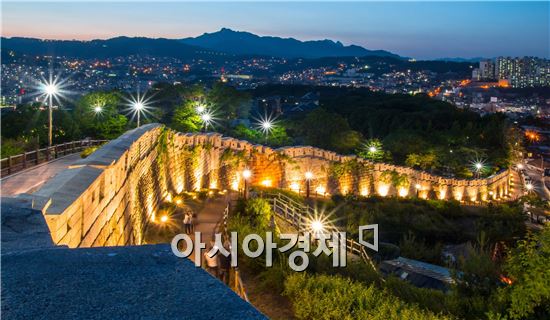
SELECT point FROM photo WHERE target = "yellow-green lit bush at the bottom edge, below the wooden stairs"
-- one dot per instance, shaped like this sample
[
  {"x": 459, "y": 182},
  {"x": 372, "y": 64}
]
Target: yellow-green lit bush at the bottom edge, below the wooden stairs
[{"x": 335, "y": 297}]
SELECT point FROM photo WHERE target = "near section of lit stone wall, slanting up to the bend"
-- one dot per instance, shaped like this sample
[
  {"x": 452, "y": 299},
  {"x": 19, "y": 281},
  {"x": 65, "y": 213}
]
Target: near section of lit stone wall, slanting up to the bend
[{"x": 108, "y": 198}]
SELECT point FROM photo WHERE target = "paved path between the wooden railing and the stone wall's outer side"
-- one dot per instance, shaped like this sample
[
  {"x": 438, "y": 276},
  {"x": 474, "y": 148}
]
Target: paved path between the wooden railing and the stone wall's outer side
[{"x": 30, "y": 180}]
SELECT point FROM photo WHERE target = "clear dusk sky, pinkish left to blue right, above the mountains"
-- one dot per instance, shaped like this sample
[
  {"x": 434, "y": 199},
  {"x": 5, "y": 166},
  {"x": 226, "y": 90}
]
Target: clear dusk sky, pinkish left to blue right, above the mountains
[{"x": 415, "y": 29}]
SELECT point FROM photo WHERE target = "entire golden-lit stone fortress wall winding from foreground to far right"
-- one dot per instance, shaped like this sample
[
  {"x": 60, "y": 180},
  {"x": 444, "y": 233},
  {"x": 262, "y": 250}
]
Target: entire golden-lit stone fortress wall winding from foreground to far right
[{"x": 109, "y": 198}]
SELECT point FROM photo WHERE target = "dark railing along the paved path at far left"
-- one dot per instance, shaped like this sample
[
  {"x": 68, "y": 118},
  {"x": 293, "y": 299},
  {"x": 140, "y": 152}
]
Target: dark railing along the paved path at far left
[{"x": 13, "y": 164}]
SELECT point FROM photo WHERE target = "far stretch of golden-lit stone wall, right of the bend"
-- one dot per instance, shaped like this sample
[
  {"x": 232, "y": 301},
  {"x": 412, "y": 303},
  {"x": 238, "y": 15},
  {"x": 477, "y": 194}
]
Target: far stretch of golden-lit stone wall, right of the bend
[{"x": 333, "y": 173}]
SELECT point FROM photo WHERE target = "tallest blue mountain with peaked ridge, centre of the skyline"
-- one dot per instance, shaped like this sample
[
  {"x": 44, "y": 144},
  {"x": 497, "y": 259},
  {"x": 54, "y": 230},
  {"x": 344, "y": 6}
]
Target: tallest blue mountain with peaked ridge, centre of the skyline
[{"x": 246, "y": 43}]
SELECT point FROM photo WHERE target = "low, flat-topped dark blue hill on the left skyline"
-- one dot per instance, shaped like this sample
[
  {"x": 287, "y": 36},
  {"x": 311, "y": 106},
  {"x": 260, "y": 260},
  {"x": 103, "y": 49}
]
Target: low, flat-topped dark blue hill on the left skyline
[{"x": 115, "y": 47}]
